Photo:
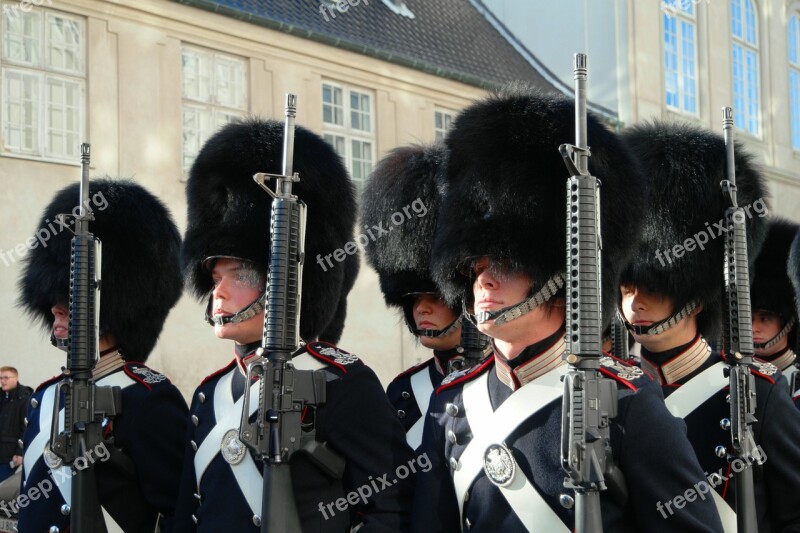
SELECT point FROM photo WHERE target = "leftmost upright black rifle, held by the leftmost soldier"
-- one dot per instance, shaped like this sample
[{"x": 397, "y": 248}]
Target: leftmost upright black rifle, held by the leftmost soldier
[{"x": 85, "y": 404}]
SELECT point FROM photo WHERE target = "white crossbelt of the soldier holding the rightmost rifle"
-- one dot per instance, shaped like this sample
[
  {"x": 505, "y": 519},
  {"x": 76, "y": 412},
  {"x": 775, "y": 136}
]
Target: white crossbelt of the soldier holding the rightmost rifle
[{"x": 684, "y": 401}]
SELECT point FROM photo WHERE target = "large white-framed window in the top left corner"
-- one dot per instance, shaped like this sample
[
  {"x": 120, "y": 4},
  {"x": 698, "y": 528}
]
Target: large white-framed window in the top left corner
[{"x": 43, "y": 87}]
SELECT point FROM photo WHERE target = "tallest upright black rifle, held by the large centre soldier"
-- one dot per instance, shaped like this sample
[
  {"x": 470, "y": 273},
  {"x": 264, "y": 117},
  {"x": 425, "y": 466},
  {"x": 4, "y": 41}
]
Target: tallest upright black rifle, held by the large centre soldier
[{"x": 590, "y": 400}]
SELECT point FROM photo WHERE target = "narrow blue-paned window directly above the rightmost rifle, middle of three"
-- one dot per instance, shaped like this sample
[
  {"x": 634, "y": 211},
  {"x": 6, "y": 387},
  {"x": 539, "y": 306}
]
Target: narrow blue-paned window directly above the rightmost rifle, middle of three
[{"x": 745, "y": 66}]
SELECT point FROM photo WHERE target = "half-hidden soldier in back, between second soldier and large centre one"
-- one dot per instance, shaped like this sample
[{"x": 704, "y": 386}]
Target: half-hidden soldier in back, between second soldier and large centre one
[{"x": 407, "y": 179}]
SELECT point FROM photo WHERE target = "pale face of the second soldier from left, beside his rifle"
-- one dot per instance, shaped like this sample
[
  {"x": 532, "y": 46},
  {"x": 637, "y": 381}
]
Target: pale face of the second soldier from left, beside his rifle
[{"x": 236, "y": 286}]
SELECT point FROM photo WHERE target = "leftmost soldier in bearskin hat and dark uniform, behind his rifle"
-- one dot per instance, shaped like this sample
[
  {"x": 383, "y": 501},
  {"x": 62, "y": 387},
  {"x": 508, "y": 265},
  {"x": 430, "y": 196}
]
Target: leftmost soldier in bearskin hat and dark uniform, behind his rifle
[{"x": 138, "y": 478}]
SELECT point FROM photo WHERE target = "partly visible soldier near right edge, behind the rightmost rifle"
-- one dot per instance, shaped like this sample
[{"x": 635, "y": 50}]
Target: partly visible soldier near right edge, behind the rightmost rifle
[{"x": 775, "y": 329}]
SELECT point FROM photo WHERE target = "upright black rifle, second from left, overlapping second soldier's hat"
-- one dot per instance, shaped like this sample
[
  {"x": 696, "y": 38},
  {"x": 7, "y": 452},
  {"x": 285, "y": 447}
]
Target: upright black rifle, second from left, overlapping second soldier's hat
[{"x": 285, "y": 393}]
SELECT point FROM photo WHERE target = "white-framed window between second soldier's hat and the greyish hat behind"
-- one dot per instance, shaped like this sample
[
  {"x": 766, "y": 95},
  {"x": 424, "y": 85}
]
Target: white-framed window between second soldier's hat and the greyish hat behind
[{"x": 348, "y": 125}]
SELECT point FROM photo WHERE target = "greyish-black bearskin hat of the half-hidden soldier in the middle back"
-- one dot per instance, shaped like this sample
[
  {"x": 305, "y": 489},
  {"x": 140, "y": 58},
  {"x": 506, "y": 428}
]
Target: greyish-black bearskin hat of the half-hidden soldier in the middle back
[{"x": 406, "y": 177}]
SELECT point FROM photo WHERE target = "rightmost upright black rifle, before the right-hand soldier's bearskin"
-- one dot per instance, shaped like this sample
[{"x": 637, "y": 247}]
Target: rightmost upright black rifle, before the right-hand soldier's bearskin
[{"x": 738, "y": 340}]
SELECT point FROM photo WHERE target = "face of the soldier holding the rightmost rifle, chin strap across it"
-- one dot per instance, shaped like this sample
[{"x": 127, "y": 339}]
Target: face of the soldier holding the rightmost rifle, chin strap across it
[{"x": 644, "y": 308}]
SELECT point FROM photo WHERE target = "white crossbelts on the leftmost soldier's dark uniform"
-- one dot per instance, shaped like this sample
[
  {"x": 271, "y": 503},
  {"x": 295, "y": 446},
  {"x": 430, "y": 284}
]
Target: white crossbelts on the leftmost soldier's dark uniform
[{"x": 62, "y": 476}]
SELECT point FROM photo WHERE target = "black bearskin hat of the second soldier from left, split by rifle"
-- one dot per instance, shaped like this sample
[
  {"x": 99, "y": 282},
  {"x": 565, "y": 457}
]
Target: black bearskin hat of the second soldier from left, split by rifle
[{"x": 229, "y": 213}]
